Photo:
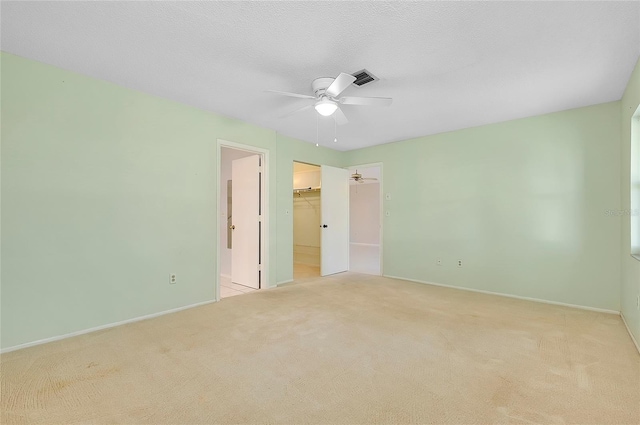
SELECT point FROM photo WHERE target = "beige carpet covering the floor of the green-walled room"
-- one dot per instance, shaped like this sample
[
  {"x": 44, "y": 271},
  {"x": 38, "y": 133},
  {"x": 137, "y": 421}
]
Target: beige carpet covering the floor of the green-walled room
[{"x": 344, "y": 349}]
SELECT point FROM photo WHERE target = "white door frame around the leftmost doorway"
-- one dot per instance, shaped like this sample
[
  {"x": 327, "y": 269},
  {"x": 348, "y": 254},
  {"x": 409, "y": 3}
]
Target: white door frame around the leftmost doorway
[{"x": 264, "y": 188}]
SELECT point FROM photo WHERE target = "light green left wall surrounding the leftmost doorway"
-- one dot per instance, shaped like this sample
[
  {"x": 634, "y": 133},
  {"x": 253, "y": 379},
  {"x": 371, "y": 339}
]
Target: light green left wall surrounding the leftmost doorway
[{"x": 105, "y": 191}]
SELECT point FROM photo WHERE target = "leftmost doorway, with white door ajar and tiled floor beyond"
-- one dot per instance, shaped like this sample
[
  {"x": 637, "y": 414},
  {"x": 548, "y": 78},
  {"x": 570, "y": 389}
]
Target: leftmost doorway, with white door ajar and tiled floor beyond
[{"x": 242, "y": 219}]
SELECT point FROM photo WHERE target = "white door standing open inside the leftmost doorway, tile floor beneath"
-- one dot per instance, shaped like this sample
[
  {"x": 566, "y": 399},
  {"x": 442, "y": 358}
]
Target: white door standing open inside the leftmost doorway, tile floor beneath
[{"x": 245, "y": 242}]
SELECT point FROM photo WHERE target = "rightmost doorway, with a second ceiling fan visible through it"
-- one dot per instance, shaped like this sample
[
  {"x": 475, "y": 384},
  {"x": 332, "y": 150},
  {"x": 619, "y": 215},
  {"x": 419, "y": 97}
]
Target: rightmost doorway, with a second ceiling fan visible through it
[{"x": 365, "y": 219}]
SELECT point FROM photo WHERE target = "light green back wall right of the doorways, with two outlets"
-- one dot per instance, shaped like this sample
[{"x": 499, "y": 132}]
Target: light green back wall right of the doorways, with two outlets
[{"x": 522, "y": 203}]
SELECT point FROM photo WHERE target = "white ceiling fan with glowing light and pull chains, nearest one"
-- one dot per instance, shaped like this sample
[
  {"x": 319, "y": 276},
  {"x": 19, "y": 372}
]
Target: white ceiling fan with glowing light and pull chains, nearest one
[{"x": 327, "y": 98}]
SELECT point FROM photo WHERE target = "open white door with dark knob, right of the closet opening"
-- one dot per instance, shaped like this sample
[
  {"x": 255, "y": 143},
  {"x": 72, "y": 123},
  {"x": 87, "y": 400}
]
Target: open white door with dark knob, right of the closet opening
[{"x": 334, "y": 222}]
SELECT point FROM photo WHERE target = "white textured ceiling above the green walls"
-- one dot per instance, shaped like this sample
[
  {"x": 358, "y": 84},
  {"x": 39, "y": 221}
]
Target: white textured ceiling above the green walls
[{"x": 447, "y": 65}]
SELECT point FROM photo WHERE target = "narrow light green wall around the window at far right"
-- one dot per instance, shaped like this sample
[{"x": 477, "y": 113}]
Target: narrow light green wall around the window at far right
[{"x": 630, "y": 266}]
